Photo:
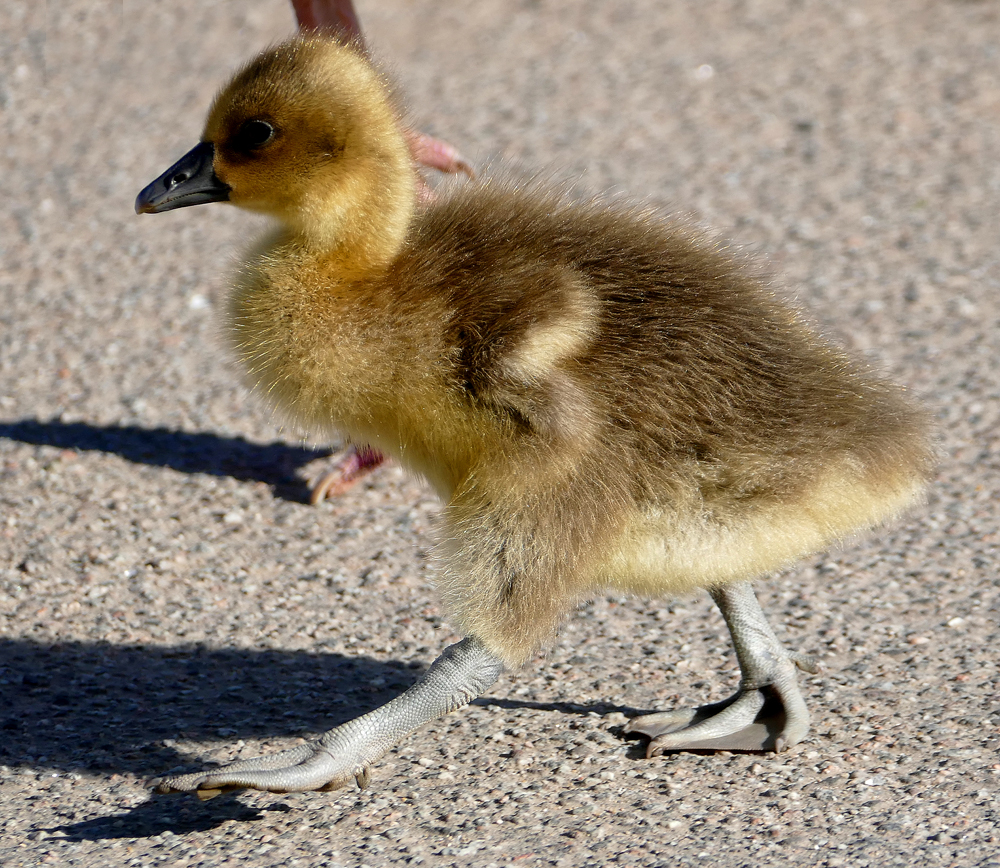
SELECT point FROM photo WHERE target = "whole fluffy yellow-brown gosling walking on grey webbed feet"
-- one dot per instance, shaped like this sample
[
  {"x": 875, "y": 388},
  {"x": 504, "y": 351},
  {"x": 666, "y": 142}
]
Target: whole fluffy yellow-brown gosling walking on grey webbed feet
[{"x": 602, "y": 399}]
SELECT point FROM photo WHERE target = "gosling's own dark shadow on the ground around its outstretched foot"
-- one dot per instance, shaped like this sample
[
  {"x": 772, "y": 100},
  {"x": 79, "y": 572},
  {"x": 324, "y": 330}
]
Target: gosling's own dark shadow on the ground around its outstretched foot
[{"x": 110, "y": 709}]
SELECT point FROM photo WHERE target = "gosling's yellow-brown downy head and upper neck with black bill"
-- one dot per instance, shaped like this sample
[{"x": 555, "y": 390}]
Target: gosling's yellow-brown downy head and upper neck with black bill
[{"x": 307, "y": 134}]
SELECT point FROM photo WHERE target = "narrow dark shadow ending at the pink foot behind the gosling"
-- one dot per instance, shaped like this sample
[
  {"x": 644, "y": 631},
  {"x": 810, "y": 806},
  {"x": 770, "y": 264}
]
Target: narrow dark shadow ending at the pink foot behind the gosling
[{"x": 275, "y": 464}]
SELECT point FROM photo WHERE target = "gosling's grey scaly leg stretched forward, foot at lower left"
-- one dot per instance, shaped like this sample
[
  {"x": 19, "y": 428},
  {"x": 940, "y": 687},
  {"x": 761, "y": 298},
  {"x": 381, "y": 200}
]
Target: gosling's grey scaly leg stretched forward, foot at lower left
[{"x": 347, "y": 752}]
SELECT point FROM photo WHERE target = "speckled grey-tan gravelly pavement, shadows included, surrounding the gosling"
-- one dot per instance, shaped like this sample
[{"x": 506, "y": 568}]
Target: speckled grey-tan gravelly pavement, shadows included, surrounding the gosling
[{"x": 167, "y": 597}]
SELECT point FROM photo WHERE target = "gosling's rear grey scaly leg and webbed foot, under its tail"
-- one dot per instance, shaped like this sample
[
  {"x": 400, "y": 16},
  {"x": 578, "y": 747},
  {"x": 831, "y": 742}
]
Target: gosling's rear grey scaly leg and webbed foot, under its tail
[{"x": 767, "y": 712}]
